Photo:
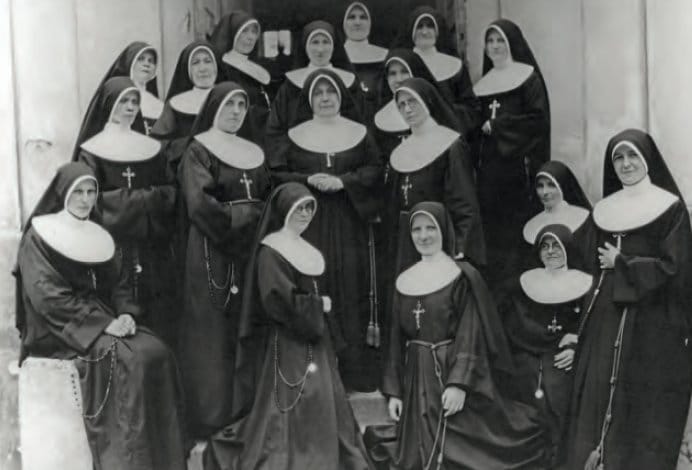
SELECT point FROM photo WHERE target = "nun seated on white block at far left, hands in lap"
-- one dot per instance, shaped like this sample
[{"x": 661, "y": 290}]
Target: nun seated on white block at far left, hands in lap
[{"x": 74, "y": 303}]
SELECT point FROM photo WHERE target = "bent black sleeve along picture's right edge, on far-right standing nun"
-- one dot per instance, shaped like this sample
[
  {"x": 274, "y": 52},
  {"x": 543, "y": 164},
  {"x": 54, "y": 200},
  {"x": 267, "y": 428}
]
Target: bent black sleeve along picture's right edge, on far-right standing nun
[{"x": 636, "y": 277}]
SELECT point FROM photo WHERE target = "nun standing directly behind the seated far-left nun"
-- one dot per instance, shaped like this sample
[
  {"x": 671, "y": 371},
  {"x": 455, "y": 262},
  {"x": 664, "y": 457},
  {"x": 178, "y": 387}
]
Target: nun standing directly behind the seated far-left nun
[{"x": 137, "y": 198}]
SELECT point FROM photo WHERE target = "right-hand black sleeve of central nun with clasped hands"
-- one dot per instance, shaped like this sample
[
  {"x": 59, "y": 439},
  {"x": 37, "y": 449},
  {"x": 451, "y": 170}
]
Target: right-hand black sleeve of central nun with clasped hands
[{"x": 362, "y": 183}]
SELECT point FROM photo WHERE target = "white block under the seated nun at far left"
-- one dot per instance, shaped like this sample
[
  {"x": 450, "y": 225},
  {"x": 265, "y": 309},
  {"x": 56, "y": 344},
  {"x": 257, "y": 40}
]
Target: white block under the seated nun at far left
[{"x": 51, "y": 425}]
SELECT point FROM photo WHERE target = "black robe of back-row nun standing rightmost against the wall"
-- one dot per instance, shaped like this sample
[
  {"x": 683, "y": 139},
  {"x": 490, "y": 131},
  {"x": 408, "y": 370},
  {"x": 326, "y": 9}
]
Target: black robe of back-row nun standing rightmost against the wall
[{"x": 520, "y": 131}]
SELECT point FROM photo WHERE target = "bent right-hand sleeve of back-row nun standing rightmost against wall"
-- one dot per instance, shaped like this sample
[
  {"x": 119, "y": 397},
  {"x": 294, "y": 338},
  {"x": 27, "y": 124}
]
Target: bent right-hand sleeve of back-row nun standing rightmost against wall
[{"x": 518, "y": 134}]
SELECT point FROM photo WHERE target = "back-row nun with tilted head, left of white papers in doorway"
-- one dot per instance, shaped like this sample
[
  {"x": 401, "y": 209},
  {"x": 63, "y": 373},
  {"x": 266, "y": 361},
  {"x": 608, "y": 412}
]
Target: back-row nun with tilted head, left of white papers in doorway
[{"x": 236, "y": 38}]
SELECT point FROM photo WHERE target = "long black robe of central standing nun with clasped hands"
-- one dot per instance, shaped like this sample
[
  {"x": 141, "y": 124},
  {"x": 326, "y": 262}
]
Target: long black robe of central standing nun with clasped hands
[{"x": 340, "y": 231}]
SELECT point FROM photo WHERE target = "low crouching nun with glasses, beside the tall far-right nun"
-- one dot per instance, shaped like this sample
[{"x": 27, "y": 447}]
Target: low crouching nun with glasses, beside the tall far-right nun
[{"x": 542, "y": 319}]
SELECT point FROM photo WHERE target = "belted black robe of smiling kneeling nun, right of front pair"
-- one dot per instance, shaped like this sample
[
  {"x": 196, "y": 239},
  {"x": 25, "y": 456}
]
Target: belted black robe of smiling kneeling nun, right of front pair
[{"x": 492, "y": 431}]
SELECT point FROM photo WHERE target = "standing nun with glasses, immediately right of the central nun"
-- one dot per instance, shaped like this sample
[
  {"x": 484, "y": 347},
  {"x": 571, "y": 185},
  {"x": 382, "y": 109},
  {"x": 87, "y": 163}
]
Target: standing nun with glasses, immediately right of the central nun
[{"x": 433, "y": 164}]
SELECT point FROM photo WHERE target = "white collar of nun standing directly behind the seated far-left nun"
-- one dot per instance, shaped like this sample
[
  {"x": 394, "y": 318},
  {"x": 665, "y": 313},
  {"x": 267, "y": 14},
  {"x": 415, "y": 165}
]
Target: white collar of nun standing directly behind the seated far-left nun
[{"x": 121, "y": 145}]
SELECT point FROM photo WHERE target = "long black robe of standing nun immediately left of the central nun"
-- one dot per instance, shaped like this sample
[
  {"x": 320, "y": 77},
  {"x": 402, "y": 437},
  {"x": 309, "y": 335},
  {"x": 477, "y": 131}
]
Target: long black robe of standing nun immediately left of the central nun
[{"x": 221, "y": 215}]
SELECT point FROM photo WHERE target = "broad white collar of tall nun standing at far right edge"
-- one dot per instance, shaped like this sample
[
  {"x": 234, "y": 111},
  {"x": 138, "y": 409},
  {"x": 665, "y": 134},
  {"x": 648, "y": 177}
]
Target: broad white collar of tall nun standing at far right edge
[{"x": 632, "y": 206}]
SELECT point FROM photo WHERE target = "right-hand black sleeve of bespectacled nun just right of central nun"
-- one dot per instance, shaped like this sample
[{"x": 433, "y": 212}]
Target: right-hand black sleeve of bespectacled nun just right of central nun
[{"x": 462, "y": 203}]
